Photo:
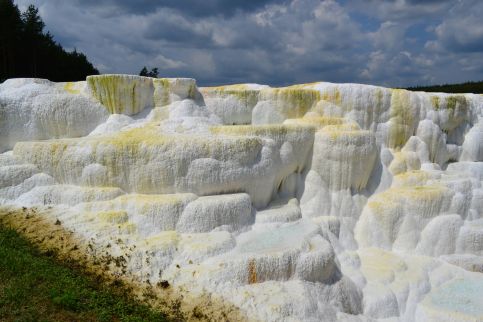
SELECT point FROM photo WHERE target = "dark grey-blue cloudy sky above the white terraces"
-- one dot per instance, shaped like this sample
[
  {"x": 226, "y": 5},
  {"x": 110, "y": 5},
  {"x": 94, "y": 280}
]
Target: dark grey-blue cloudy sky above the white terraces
[{"x": 276, "y": 42}]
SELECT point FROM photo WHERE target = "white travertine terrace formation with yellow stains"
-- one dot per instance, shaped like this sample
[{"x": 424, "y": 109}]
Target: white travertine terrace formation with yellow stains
[{"x": 305, "y": 203}]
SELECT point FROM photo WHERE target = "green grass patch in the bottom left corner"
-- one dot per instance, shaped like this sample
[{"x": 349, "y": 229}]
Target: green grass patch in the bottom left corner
[{"x": 36, "y": 287}]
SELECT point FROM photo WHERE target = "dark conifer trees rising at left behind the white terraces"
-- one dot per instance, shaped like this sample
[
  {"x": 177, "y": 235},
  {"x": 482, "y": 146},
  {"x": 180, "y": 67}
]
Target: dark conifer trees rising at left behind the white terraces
[{"x": 27, "y": 51}]
